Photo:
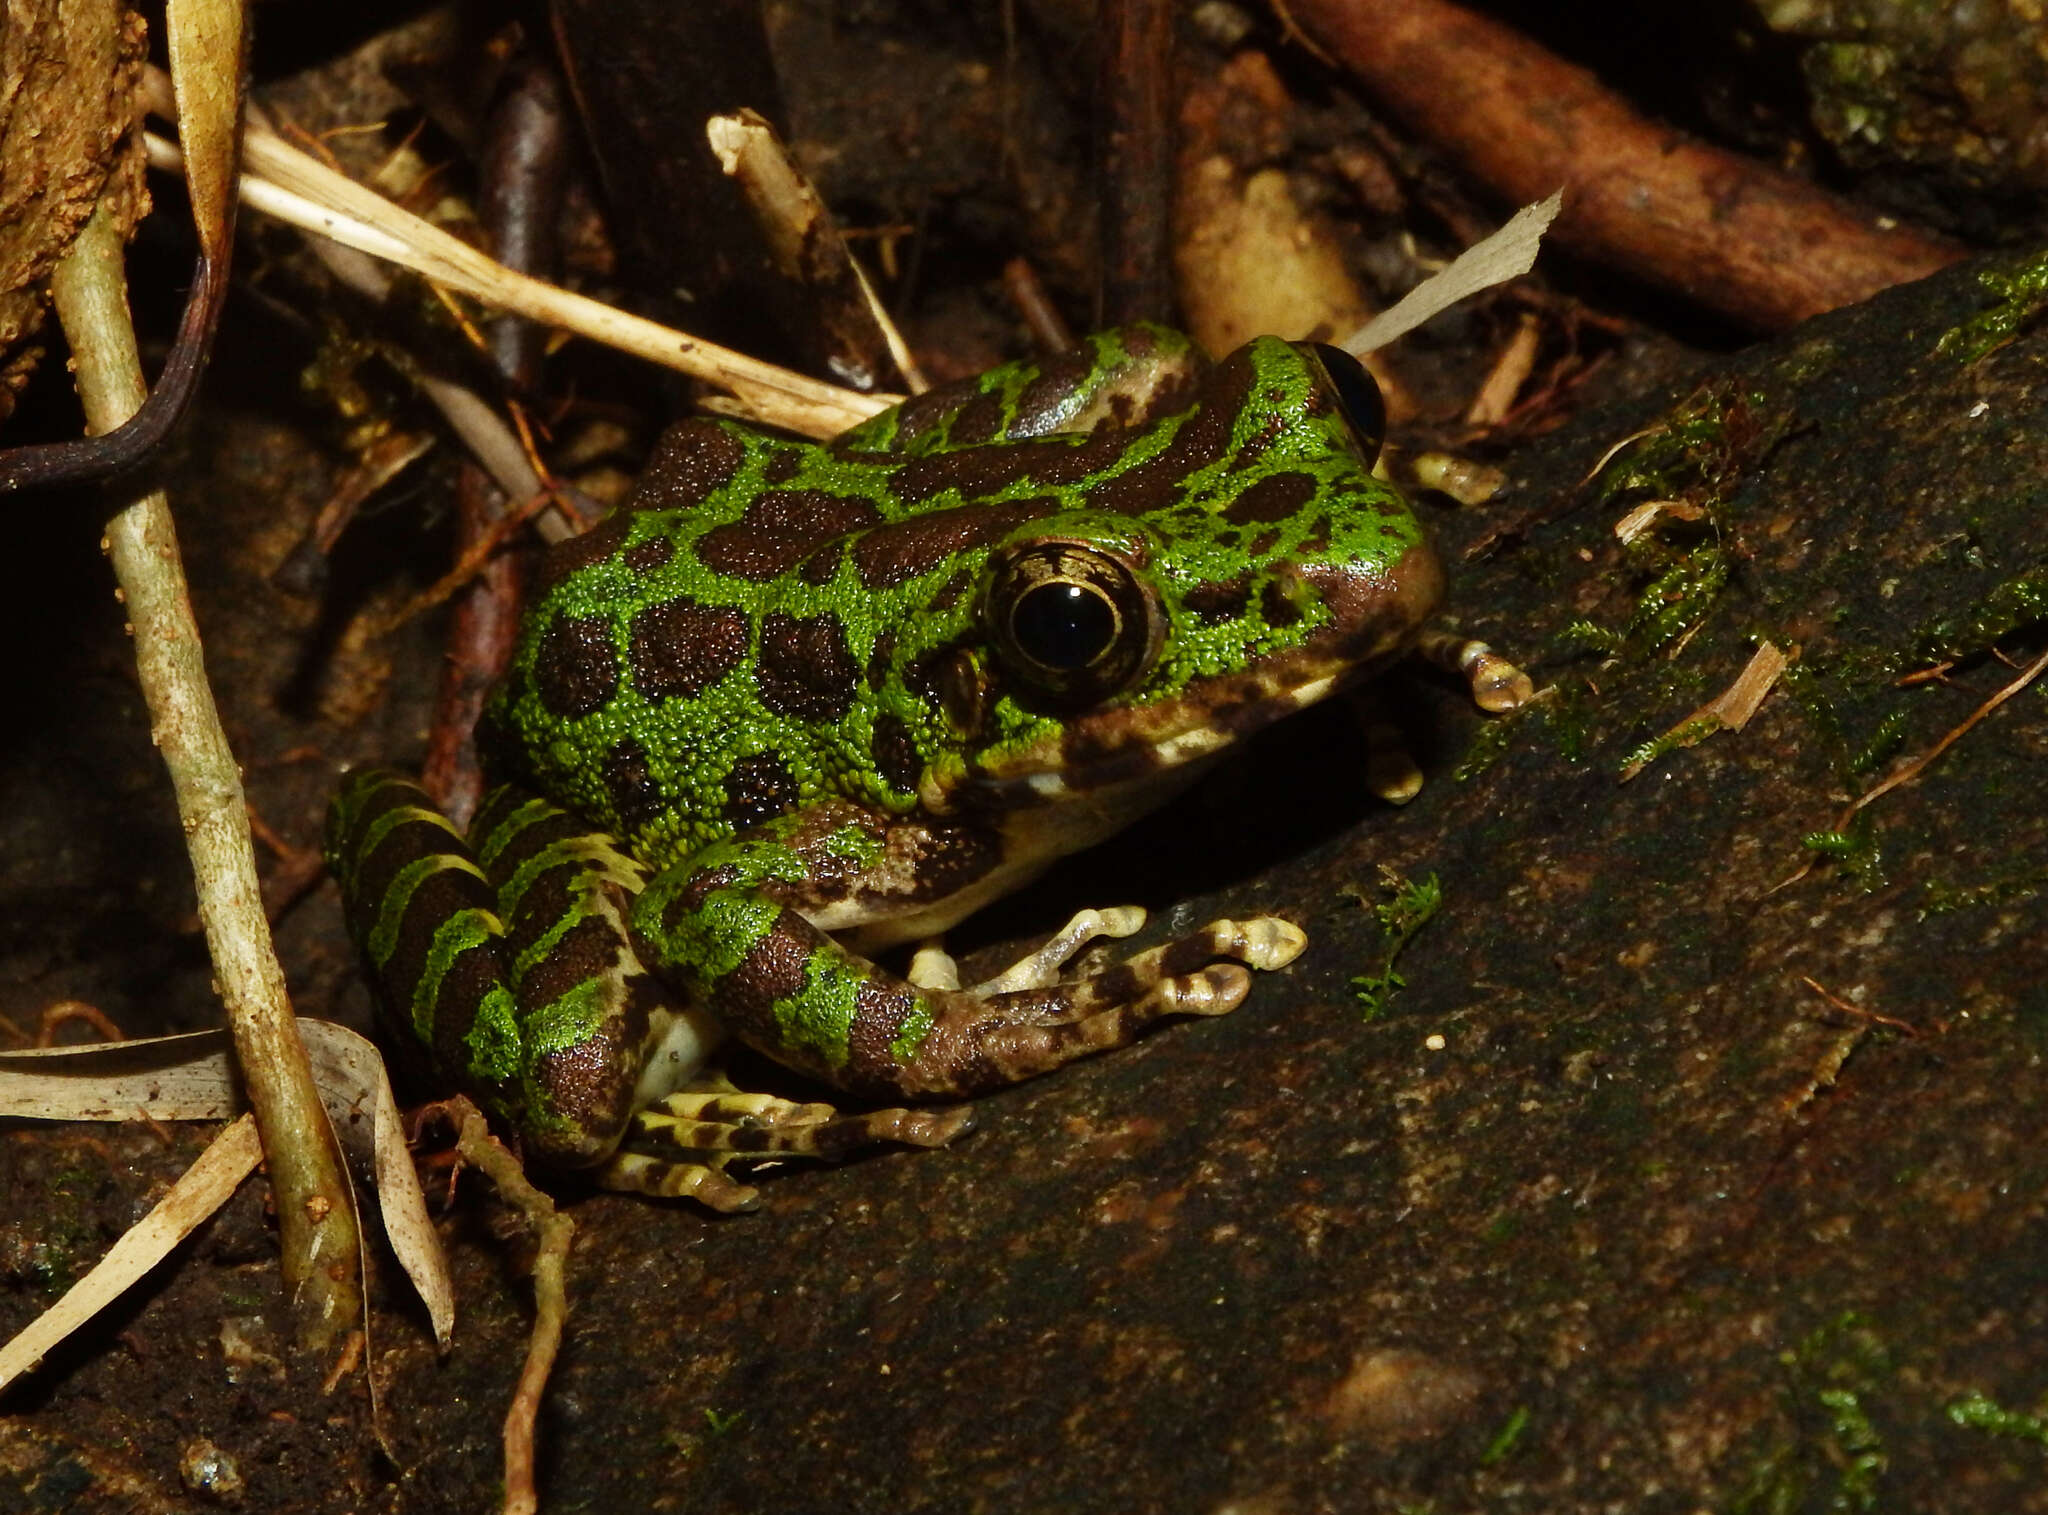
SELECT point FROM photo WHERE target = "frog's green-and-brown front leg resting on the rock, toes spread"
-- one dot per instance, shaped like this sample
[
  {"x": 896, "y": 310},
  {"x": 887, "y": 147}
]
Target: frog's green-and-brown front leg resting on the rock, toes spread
[{"x": 734, "y": 924}]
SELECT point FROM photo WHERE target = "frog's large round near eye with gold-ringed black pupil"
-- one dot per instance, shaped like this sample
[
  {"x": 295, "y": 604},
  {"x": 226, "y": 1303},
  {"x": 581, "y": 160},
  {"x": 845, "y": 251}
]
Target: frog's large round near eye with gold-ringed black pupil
[{"x": 1070, "y": 621}]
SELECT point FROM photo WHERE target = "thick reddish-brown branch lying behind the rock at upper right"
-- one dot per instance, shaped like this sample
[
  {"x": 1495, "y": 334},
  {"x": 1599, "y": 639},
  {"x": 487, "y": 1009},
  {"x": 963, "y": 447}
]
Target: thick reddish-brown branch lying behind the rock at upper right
[{"x": 1752, "y": 243}]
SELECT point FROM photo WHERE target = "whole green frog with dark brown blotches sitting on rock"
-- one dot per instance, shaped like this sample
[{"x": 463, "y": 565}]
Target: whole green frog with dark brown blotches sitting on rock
[{"x": 794, "y": 705}]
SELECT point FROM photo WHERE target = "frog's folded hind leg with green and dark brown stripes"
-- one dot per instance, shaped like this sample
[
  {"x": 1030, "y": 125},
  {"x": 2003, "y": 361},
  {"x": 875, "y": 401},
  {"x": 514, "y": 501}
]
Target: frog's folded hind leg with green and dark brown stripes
[{"x": 513, "y": 965}]
